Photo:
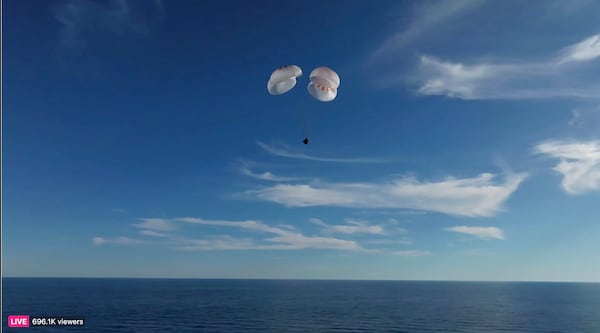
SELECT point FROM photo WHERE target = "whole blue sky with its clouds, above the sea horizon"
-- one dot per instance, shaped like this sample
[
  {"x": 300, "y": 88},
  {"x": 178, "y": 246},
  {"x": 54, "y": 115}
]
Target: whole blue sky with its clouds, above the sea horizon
[{"x": 139, "y": 140}]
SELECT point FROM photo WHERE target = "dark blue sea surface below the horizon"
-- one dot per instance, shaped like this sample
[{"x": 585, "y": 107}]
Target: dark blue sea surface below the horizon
[{"x": 174, "y": 305}]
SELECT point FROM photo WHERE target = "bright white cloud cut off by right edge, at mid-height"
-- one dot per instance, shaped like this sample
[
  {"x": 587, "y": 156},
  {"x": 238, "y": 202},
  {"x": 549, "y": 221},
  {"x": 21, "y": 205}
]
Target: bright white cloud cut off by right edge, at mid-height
[{"x": 579, "y": 164}]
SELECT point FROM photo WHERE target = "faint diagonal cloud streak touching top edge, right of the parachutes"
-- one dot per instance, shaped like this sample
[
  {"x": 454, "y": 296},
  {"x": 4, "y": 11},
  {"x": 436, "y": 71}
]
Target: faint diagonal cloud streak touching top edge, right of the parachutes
[{"x": 427, "y": 16}]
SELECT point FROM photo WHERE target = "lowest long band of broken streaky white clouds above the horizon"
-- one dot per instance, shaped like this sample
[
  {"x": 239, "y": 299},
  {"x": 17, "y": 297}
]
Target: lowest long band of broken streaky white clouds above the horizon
[{"x": 264, "y": 237}]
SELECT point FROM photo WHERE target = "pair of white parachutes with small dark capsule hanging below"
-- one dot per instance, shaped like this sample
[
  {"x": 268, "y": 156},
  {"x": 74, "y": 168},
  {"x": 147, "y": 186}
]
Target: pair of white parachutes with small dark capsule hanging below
[{"x": 323, "y": 85}]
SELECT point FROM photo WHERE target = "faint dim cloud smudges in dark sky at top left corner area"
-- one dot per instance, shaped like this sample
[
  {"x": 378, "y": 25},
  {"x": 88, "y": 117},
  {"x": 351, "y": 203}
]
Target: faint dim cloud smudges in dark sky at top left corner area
[{"x": 82, "y": 20}]
